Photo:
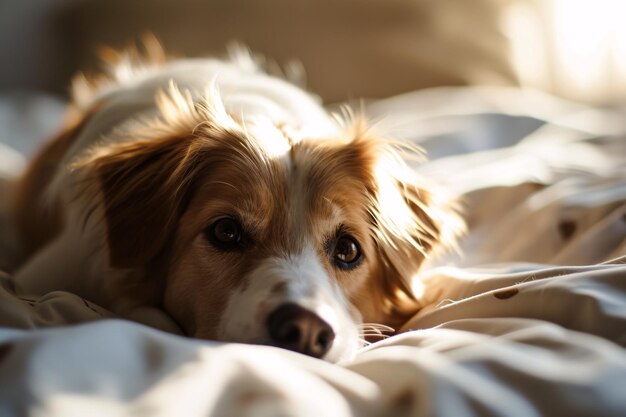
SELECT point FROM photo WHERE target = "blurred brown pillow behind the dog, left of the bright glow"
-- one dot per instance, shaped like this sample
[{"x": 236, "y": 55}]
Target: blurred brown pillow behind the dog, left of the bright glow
[{"x": 349, "y": 48}]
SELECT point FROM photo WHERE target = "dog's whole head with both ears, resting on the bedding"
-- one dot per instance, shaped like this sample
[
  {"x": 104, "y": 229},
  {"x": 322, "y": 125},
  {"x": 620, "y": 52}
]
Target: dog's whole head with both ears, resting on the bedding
[{"x": 244, "y": 233}]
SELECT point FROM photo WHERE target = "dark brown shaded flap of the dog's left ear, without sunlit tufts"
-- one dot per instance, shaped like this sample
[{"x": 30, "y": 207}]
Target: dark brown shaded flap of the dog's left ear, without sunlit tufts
[{"x": 144, "y": 192}]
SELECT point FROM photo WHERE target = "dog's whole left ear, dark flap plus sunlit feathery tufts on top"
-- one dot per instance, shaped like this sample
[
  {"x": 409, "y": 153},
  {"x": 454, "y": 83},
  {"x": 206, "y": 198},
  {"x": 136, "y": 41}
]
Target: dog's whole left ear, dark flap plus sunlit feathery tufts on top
[{"x": 147, "y": 183}]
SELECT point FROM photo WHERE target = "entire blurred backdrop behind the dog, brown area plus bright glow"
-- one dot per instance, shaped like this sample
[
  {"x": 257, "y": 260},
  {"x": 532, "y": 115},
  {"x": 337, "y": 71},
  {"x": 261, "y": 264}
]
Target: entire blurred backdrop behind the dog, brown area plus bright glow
[{"x": 349, "y": 48}]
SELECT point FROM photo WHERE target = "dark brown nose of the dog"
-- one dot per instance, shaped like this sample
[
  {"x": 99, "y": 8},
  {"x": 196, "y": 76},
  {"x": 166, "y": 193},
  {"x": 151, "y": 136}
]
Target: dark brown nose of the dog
[{"x": 296, "y": 328}]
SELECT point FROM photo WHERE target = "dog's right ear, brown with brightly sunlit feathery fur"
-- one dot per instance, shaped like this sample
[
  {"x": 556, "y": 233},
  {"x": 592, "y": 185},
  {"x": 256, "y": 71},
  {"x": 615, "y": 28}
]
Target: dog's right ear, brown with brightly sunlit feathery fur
[{"x": 412, "y": 219}]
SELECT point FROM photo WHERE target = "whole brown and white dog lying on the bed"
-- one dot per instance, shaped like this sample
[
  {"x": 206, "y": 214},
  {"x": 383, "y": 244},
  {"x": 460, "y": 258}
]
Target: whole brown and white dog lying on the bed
[{"x": 231, "y": 200}]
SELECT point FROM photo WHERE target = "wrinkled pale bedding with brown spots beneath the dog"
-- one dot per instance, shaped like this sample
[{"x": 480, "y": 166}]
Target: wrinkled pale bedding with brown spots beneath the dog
[{"x": 527, "y": 319}]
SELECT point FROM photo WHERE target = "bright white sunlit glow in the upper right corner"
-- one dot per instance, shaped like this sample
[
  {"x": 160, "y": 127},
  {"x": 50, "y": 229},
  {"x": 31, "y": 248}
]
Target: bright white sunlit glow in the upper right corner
[{"x": 573, "y": 48}]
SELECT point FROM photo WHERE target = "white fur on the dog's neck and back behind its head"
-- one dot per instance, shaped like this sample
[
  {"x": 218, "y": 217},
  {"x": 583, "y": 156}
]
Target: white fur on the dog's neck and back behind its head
[{"x": 246, "y": 94}]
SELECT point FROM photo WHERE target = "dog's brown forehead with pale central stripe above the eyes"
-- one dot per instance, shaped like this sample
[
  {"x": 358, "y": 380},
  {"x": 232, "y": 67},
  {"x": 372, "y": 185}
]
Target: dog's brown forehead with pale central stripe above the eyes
[{"x": 306, "y": 185}]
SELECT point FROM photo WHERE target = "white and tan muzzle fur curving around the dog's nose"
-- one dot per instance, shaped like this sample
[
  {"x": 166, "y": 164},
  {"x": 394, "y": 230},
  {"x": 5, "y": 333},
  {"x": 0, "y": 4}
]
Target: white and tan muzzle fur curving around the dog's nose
[{"x": 304, "y": 281}]
